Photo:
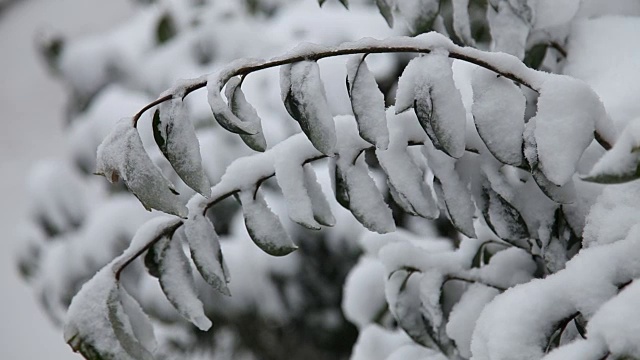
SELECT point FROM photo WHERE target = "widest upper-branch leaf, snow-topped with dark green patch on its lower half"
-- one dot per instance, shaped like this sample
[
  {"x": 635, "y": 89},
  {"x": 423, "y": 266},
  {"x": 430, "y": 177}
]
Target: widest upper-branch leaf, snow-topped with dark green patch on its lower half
[{"x": 427, "y": 85}]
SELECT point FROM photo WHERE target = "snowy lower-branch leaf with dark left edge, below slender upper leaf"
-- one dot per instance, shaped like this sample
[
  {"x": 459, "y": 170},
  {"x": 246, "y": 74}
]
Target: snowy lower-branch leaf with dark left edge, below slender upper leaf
[{"x": 365, "y": 200}]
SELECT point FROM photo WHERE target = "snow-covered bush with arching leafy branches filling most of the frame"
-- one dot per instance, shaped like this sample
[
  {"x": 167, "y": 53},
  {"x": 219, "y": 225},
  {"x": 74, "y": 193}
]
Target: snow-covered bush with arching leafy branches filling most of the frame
[{"x": 471, "y": 166}]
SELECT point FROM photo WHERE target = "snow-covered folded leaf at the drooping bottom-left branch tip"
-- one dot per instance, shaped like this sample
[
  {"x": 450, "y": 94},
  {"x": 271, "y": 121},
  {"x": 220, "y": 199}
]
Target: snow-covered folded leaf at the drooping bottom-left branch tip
[{"x": 104, "y": 322}]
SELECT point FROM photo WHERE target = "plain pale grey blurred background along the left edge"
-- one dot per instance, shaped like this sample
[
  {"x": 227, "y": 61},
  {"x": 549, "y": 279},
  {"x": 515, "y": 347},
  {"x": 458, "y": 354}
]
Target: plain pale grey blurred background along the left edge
[{"x": 31, "y": 128}]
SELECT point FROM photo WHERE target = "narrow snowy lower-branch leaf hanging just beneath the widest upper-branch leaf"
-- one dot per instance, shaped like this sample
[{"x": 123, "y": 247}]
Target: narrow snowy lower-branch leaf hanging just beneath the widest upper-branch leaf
[{"x": 455, "y": 194}]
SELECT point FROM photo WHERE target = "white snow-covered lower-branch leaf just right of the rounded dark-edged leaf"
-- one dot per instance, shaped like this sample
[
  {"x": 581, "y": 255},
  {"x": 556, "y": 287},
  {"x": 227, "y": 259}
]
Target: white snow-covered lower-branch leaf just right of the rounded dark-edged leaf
[{"x": 292, "y": 180}]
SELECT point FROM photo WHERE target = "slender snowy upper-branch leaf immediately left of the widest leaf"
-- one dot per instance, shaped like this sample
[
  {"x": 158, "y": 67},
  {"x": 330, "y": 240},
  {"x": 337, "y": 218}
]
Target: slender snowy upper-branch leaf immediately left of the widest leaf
[{"x": 367, "y": 102}]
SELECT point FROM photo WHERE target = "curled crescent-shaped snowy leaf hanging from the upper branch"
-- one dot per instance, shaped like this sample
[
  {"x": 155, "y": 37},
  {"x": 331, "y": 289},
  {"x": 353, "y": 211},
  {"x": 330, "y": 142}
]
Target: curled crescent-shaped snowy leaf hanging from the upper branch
[{"x": 222, "y": 112}]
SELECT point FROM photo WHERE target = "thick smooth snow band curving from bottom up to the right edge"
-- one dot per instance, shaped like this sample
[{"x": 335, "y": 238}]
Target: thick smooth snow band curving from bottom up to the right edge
[{"x": 516, "y": 323}]
